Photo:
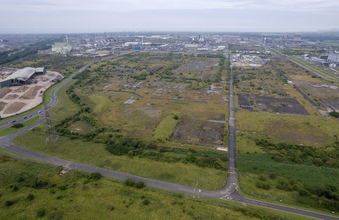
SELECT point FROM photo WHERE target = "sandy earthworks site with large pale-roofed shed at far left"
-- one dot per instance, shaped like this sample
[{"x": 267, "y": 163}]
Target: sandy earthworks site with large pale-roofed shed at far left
[{"x": 23, "y": 89}]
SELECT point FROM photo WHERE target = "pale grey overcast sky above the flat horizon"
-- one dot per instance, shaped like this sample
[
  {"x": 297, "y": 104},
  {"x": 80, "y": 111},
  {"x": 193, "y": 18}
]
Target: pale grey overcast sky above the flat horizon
[{"x": 80, "y": 16}]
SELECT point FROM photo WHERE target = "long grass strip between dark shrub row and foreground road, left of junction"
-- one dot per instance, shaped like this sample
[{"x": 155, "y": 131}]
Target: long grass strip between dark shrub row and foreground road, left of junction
[{"x": 96, "y": 155}]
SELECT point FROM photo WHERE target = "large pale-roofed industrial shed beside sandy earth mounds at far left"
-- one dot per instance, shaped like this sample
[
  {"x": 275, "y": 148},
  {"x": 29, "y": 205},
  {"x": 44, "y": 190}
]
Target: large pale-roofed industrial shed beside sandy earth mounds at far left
[{"x": 22, "y": 76}]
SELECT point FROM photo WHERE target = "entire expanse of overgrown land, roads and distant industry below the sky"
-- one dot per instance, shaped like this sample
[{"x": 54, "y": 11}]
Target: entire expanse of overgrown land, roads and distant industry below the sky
[{"x": 170, "y": 125}]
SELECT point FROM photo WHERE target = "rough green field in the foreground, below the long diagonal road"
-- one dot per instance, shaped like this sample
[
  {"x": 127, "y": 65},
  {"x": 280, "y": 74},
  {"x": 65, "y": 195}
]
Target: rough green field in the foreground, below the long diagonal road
[{"x": 74, "y": 196}]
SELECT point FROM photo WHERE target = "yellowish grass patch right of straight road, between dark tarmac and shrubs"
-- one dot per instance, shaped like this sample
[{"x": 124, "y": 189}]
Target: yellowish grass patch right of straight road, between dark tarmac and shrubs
[{"x": 295, "y": 129}]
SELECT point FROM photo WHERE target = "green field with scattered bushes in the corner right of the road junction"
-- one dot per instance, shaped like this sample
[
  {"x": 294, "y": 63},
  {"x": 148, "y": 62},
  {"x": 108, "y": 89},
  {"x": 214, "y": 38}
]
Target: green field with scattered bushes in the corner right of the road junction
[{"x": 253, "y": 166}]
